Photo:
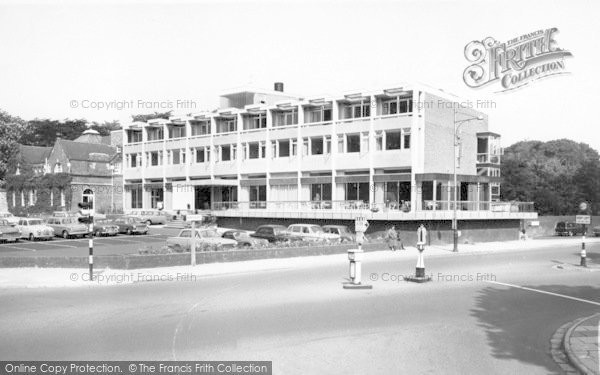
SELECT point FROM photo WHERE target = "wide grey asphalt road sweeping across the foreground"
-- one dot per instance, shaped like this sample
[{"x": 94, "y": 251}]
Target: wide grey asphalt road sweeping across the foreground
[{"x": 302, "y": 319}]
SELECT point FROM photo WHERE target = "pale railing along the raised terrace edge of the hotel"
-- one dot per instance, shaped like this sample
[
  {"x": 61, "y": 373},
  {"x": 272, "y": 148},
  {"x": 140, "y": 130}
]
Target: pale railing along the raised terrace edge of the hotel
[{"x": 359, "y": 205}]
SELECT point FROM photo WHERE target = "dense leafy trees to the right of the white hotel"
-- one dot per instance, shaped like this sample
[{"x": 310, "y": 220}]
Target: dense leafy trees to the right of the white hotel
[{"x": 555, "y": 175}]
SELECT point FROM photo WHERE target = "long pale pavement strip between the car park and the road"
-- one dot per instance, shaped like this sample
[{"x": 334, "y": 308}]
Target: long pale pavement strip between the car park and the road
[{"x": 79, "y": 277}]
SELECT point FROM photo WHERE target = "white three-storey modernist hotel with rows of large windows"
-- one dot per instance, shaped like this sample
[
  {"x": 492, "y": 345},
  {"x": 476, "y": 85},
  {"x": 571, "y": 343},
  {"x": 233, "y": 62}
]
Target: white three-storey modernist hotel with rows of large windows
[{"x": 386, "y": 154}]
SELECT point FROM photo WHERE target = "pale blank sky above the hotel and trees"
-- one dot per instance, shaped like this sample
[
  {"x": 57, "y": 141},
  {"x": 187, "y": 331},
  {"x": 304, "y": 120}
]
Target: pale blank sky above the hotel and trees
[{"x": 61, "y": 58}]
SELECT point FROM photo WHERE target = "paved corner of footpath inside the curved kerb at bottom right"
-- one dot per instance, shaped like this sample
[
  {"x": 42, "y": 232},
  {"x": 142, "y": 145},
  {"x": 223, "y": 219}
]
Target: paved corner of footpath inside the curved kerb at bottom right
[{"x": 582, "y": 345}]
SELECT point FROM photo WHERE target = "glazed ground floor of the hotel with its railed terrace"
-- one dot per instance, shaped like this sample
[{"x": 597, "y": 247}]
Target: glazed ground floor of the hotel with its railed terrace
[{"x": 385, "y": 197}]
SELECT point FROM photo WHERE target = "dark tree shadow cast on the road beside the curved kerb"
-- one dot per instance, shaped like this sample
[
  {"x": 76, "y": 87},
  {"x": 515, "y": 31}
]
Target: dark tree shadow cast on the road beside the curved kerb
[{"x": 520, "y": 323}]
